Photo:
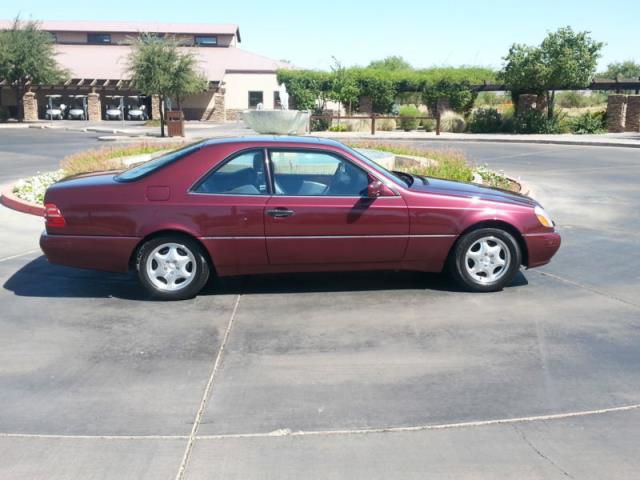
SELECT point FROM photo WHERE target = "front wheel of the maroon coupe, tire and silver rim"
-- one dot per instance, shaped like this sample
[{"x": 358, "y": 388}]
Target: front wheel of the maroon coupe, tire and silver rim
[{"x": 485, "y": 260}]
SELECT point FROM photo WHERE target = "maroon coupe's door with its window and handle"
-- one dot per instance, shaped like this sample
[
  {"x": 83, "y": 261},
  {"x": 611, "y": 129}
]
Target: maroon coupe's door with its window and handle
[{"x": 319, "y": 212}]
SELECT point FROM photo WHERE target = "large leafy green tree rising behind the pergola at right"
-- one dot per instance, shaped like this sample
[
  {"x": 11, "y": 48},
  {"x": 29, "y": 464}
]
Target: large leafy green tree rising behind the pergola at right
[{"x": 564, "y": 60}]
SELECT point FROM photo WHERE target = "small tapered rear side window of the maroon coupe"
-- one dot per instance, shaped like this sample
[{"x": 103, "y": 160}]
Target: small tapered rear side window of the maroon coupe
[{"x": 242, "y": 175}]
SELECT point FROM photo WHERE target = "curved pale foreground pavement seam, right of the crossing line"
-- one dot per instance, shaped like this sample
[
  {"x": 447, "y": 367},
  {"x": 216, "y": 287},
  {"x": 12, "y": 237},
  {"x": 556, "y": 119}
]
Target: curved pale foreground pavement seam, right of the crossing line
[{"x": 419, "y": 428}]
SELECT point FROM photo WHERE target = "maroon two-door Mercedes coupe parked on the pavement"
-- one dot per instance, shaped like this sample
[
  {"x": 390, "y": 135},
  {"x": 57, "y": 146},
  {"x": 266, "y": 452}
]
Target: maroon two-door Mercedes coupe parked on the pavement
[{"x": 285, "y": 204}]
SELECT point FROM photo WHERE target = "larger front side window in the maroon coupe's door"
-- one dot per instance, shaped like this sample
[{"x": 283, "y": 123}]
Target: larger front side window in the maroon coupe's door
[{"x": 310, "y": 173}]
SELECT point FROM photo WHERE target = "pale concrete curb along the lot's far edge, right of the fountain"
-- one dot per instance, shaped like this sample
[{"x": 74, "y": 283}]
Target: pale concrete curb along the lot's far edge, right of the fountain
[{"x": 490, "y": 140}]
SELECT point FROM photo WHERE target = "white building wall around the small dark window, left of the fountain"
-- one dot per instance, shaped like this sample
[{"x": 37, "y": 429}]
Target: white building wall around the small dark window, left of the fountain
[{"x": 238, "y": 86}]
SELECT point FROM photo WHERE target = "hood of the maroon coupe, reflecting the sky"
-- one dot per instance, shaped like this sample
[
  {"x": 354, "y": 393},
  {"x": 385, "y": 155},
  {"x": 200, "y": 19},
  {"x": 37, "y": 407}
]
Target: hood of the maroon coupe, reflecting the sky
[{"x": 471, "y": 190}]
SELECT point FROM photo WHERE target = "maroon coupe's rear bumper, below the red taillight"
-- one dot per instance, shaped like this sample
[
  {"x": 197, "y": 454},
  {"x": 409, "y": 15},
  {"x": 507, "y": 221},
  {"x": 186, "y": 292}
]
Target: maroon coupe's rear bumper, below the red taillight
[{"x": 110, "y": 254}]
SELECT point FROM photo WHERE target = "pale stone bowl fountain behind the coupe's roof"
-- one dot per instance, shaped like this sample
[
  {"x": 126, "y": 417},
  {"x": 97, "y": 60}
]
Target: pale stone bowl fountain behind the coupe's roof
[{"x": 278, "y": 122}]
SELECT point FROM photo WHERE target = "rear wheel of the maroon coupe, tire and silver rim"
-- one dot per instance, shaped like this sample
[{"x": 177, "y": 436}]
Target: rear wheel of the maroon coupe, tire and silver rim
[{"x": 172, "y": 267}]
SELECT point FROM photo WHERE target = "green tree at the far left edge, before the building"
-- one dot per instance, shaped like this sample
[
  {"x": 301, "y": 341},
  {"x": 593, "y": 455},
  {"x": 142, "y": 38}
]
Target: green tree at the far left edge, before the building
[{"x": 27, "y": 56}]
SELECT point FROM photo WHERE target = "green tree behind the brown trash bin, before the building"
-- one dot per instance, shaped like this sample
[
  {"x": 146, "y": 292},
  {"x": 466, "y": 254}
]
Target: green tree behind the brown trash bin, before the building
[{"x": 159, "y": 67}]
